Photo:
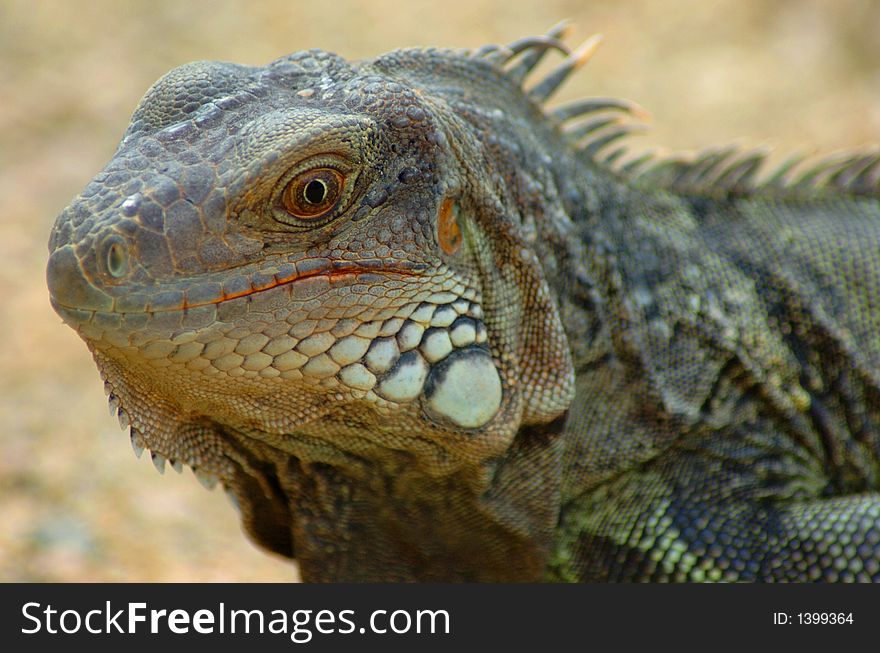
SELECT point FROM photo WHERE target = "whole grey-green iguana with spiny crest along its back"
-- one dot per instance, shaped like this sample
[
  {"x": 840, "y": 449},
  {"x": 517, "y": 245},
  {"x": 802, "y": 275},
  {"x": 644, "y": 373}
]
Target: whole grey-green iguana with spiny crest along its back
[{"x": 421, "y": 326}]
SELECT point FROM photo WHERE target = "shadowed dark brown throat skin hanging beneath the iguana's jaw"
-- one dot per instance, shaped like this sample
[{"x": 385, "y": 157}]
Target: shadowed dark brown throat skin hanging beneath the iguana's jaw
[{"x": 342, "y": 516}]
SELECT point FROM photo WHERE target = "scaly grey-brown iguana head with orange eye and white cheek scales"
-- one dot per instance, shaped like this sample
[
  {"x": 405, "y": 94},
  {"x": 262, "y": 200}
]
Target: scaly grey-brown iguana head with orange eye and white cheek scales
[{"x": 331, "y": 258}]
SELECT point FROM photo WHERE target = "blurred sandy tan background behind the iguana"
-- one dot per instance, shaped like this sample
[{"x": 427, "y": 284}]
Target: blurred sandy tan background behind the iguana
[{"x": 75, "y": 504}]
